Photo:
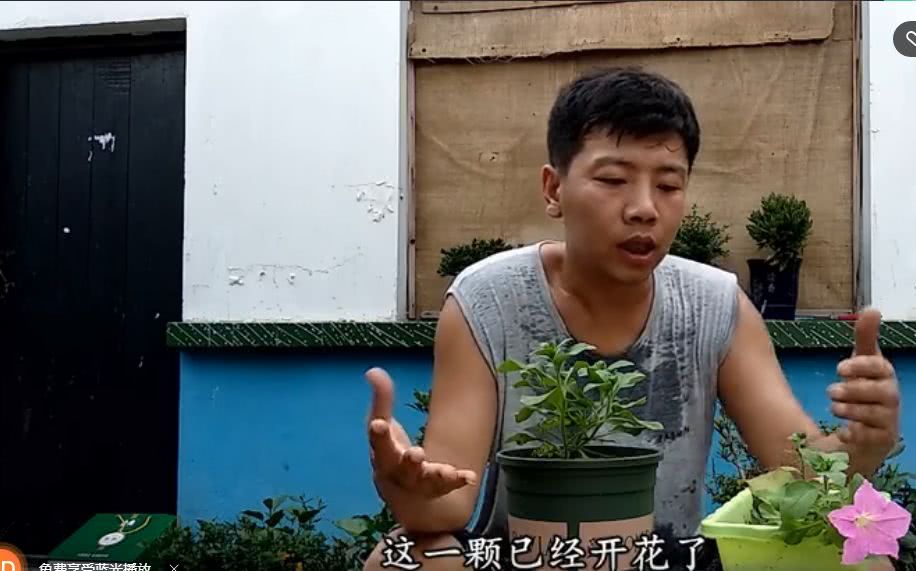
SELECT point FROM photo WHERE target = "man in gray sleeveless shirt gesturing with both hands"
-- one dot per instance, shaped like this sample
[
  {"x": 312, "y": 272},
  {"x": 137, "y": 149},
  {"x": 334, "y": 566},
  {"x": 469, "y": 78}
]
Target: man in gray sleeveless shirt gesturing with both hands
[{"x": 622, "y": 145}]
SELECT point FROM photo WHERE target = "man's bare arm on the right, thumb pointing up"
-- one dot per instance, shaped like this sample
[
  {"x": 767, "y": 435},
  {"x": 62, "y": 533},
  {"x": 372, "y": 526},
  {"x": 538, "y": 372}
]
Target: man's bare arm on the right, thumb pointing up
[{"x": 757, "y": 396}]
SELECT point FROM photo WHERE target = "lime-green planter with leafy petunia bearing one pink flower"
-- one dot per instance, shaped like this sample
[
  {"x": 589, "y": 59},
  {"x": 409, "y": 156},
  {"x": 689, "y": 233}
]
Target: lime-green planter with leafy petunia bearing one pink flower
[{"x": 813, "y": 518}]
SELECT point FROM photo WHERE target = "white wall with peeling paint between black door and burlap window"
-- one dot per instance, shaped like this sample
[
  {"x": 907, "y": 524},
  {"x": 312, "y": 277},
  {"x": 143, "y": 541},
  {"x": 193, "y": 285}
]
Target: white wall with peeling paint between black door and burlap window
[{"x": 293, "y": 162}]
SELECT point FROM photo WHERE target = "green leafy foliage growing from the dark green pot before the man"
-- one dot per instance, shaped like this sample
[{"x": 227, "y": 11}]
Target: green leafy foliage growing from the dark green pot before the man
[{"x": 579, "y": 402}]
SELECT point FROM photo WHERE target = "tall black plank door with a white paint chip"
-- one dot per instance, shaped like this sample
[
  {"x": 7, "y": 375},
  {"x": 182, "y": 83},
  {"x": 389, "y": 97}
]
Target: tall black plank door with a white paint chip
[{"x": 91, "y": 225}]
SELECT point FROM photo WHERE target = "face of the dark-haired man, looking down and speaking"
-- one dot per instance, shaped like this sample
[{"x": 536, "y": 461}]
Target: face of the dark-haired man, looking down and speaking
[{"x": 621, "y": 202}]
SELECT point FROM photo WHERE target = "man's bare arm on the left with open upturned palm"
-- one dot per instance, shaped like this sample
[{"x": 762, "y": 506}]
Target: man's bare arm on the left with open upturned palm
[{"x": 423, "y": 485}]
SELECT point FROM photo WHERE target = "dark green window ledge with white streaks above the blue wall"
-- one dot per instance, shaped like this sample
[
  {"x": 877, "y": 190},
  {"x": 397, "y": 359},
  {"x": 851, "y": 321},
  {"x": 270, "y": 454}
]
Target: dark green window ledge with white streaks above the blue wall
[{"x": 802, "y": 334}]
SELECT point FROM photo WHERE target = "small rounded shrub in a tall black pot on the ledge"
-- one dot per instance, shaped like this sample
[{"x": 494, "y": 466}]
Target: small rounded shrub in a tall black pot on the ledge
[{"x": 782, "y": 226}]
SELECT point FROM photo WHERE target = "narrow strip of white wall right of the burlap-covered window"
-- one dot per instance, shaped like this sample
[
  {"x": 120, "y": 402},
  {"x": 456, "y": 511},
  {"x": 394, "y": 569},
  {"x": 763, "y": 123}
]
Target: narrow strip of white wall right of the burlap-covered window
[{"x": 889, "y": 209}]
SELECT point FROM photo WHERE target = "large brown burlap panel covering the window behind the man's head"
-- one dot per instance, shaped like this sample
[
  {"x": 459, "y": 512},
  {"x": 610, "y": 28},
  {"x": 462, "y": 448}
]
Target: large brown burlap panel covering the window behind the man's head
[{"x": 775, "y": 118}]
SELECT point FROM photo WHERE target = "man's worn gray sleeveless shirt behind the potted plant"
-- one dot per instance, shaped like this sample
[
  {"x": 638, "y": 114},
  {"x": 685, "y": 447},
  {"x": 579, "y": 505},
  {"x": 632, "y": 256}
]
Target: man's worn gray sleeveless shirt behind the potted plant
[{"x": 508, "y": 305}]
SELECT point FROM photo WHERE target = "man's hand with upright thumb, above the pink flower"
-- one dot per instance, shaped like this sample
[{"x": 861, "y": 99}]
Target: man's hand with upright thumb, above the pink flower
[{"x": 869, "y": 398}]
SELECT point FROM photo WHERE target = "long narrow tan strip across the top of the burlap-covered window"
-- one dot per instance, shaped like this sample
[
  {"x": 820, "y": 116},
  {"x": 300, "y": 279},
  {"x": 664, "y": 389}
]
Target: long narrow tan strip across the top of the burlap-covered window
[{"x": 631, "y": 25}]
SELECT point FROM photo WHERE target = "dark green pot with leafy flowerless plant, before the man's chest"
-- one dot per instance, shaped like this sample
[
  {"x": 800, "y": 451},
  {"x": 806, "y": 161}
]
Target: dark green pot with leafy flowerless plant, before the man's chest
[{"x": 565, "y": 477}]
